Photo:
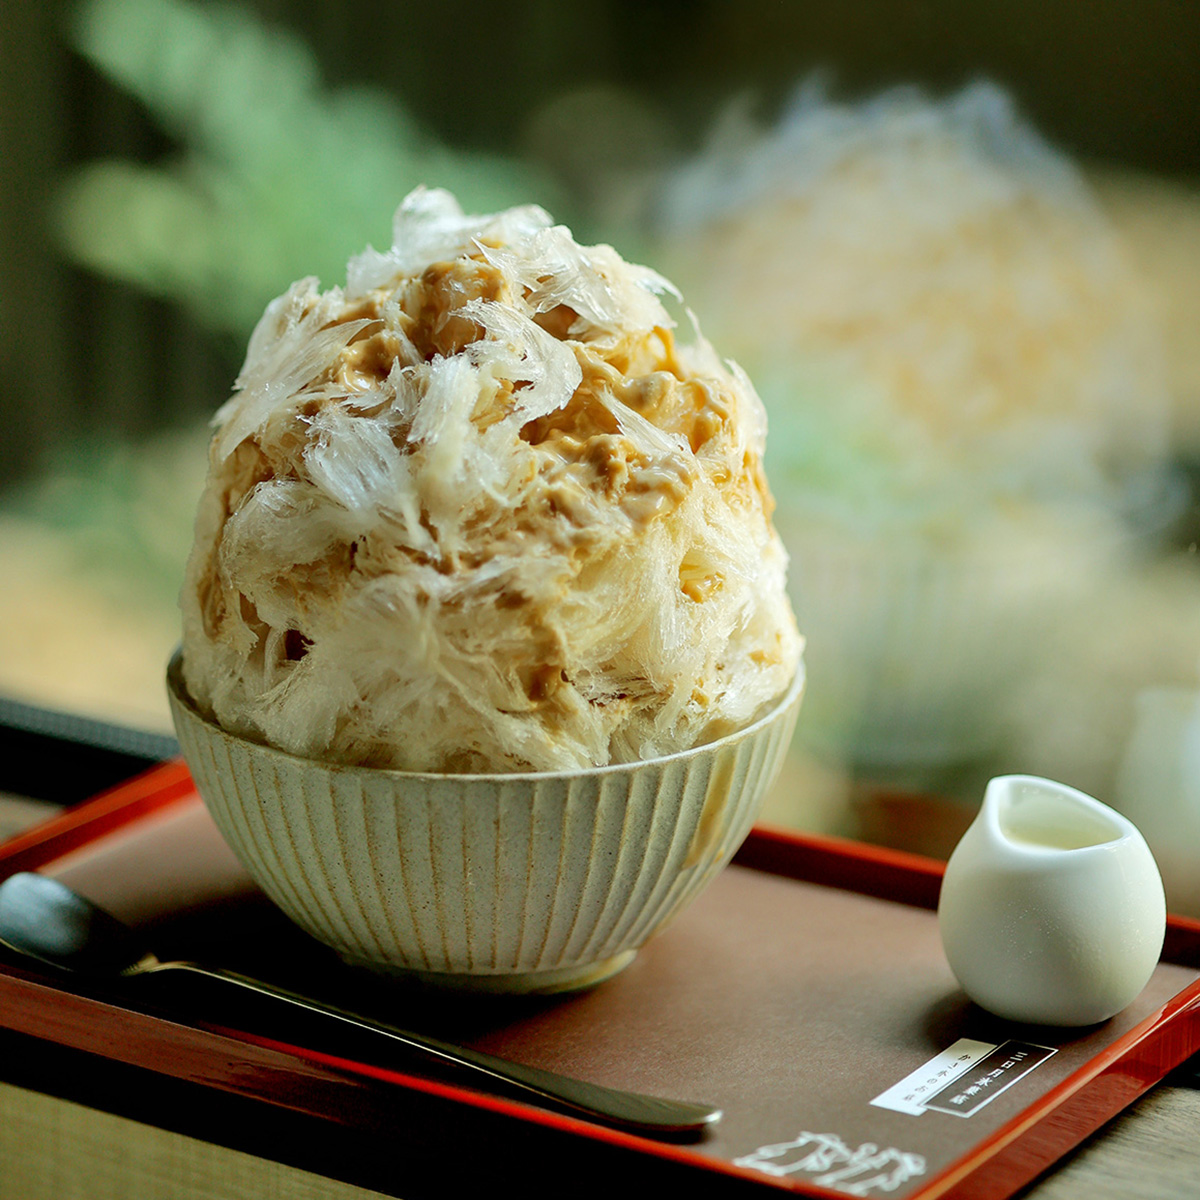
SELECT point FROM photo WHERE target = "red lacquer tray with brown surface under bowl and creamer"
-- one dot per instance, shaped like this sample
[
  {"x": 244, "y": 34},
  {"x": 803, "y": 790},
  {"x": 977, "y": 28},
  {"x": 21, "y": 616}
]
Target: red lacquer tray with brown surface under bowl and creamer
[{"x": 806, "y": 994}]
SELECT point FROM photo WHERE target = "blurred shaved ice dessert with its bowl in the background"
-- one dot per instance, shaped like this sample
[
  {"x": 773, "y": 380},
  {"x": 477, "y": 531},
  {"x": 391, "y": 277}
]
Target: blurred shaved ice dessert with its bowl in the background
[{"x": 968, "y": 398}]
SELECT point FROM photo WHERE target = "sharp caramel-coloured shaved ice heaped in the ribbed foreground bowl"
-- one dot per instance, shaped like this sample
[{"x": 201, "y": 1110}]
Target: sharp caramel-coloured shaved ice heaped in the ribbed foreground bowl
[{"x": 479, "y": 512}]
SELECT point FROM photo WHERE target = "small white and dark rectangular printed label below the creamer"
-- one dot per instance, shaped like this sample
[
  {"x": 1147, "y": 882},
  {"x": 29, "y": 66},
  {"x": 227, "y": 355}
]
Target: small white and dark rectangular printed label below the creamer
[{"x": 964, "y": 1078}]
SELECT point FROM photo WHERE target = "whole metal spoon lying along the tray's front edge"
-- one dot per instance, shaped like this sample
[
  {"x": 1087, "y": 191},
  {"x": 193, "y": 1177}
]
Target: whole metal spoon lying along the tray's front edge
[{"x": 44, "y": 919}]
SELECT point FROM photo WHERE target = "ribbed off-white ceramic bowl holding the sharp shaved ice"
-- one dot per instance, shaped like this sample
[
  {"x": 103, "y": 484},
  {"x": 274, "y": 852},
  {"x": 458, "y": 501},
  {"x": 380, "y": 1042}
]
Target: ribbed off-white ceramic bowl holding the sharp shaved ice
[{"x": 524, "y": 884}]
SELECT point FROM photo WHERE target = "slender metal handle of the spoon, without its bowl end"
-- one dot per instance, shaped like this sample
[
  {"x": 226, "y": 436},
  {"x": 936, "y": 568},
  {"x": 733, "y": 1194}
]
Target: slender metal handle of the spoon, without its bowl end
[{"x": 629, "y": 1111}]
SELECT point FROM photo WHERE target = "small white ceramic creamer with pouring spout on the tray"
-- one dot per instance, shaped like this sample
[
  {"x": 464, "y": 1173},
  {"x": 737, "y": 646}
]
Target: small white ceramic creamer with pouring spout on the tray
[{"x": 1052, "y": 909}]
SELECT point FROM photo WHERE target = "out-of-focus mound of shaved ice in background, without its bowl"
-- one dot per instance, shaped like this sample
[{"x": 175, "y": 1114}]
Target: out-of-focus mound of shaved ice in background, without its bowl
[{"x": 932, "y": 298}]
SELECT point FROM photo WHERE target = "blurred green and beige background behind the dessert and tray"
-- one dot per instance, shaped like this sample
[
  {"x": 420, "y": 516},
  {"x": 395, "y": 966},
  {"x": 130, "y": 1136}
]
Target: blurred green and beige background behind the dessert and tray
[{"x": 957, "y": 248}]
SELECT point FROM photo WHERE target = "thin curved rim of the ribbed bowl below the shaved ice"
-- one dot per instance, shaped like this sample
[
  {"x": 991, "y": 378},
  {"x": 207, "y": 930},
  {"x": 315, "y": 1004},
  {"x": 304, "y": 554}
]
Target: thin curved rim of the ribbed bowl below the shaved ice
[{"x": 179, "y": 694}]
